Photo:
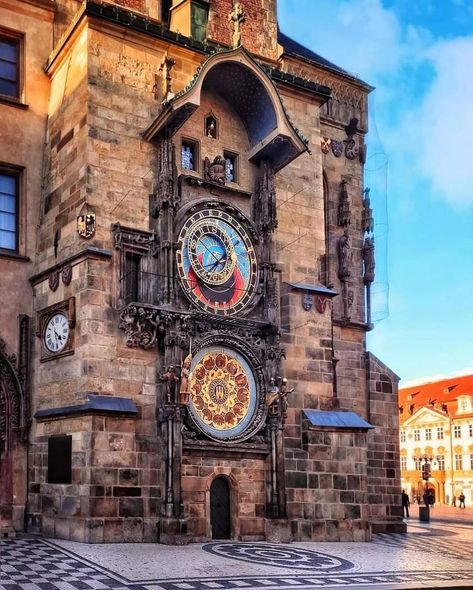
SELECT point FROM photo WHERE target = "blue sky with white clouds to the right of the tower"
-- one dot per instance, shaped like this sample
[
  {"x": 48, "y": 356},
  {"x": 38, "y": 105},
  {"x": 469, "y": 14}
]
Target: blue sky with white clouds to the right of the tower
[{"x": 419, "y": 55}]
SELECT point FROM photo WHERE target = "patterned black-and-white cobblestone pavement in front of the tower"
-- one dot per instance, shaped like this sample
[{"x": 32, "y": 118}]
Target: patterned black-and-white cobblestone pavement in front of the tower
[{"x": 427, "y": 557}]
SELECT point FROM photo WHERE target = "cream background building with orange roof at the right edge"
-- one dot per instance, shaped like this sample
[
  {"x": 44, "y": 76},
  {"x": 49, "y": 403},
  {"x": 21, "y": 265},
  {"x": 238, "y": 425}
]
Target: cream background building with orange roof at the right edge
[{"x": 437, "y": 423}]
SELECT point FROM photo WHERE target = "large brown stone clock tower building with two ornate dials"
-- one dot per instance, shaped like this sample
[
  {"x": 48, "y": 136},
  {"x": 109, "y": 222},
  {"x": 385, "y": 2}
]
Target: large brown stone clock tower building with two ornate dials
[{"x": 193, "y": 297}]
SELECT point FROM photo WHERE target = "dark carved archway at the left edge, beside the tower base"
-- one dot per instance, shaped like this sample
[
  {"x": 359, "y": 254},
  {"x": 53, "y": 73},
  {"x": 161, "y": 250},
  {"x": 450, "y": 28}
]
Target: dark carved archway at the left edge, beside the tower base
[{"x": 12, "y": 435}]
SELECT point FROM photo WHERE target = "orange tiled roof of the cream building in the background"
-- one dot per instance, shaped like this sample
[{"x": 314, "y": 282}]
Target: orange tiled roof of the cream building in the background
[{"x": 441, "y": 392}]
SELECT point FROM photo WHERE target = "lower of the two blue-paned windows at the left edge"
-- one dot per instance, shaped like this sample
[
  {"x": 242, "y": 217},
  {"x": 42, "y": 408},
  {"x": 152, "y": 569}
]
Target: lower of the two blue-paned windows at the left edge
[{"x": 9, "y": 199}]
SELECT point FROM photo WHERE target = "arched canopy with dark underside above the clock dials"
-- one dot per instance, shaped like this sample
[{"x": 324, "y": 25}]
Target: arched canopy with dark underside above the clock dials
[{"x": 239, "y": 80}]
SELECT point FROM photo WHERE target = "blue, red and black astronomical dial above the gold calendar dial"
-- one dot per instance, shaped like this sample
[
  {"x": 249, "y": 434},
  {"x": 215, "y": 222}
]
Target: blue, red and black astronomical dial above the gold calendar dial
[{"x": 216, "y": 262}]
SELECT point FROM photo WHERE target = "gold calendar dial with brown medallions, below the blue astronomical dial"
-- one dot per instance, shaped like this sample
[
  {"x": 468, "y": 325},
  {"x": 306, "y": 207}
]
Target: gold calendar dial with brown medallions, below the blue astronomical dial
[{"x": 223, "y": 395}]
